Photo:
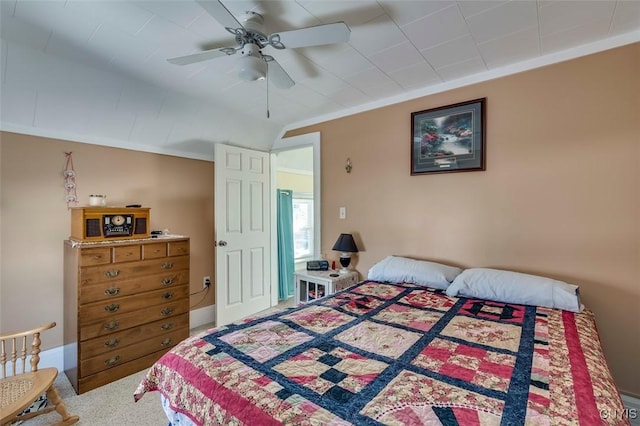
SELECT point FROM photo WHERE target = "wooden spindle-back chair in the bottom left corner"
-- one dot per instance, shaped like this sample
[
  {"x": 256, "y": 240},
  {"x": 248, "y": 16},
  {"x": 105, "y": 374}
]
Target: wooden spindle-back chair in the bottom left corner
[{"x": 20, "y": 388}]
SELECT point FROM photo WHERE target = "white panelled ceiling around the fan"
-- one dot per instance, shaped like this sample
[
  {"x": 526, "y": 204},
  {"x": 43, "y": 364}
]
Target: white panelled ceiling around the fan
[{"x": 96, "y": 71}]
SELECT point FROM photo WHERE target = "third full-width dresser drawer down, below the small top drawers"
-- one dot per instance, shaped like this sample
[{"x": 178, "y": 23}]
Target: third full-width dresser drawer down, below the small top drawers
[{"x": 96, "y": 311}]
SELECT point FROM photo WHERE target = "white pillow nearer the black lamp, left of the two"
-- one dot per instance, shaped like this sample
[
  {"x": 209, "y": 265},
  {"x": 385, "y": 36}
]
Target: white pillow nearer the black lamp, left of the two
[{"x": 401, "y": 269}]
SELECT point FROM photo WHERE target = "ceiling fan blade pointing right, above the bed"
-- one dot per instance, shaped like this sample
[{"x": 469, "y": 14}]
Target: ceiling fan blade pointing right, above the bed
[{"x": 337, "y": 32}]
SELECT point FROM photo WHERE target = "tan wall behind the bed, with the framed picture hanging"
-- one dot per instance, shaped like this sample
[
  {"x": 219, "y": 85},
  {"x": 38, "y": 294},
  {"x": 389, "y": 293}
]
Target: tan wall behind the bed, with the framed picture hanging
[{"x": 559, "y": 198}]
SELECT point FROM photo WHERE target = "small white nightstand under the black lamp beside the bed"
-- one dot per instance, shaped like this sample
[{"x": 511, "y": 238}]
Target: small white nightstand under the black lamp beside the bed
[{"x": 311, "y": 285}]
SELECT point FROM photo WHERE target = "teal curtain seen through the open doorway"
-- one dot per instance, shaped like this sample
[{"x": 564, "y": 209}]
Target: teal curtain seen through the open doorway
[{"x": 285, "y": 244}]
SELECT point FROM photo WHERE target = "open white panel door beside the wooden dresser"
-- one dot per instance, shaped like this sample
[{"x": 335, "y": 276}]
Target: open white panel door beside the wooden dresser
[{"x": 243, "y": 259}]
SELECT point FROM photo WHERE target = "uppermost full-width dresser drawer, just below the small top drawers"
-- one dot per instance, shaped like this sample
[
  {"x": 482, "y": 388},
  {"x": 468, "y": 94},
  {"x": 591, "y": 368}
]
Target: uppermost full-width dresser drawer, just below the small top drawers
[{"x": 123, "y": 271}]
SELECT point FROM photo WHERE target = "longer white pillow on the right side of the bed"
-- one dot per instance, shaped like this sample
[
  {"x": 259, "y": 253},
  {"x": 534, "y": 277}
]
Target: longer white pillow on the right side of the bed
[{"x": 516, "y": 287}]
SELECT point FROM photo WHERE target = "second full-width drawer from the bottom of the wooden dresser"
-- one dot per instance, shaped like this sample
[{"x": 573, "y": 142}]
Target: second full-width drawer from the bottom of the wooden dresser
[{"x": 121, "y": 339}]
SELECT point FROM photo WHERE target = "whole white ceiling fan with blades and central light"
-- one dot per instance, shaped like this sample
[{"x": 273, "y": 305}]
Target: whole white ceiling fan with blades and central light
[{"x": 251, "y": 39}]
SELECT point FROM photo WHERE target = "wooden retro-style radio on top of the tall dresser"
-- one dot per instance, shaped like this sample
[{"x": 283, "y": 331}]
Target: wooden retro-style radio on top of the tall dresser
[{"x": 109, "y": 223}]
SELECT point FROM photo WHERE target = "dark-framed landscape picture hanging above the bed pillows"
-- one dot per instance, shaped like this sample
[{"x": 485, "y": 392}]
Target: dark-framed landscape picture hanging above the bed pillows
[{"x": 449, "y": 138}]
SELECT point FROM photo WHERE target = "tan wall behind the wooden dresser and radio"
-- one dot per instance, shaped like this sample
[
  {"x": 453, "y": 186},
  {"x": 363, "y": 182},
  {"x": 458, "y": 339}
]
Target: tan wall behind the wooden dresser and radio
[{"x": 35, "y": 219}]
